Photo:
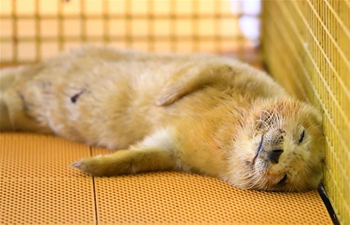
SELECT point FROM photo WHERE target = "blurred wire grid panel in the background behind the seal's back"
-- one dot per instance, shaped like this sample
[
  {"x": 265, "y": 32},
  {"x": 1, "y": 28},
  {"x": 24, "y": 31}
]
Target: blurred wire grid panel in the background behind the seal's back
[{"x": 35, "y": 29}]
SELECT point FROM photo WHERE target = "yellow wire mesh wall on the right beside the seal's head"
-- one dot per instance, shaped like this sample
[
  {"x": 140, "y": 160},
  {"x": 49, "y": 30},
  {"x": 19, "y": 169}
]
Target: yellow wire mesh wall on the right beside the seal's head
[{"x": 313, "y": 38}]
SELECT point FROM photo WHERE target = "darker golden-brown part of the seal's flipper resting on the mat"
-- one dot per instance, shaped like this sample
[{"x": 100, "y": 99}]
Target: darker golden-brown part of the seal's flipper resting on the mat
[{"x": 127, "y": 162}]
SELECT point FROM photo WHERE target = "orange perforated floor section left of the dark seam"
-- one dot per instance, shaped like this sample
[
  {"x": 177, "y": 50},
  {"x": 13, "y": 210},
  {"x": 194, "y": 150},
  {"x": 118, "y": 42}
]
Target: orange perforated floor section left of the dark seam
[{"x": 36, "y": 184}]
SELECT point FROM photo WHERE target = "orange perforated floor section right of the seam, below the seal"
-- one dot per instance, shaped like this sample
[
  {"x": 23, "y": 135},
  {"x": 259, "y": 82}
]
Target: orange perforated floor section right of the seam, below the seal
[{"x": 179, "y": 198}]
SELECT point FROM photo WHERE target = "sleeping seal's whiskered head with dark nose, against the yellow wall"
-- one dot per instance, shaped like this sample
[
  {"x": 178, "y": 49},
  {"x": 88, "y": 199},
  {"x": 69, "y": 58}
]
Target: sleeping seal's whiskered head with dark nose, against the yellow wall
[{"x": 282, "y": 147}]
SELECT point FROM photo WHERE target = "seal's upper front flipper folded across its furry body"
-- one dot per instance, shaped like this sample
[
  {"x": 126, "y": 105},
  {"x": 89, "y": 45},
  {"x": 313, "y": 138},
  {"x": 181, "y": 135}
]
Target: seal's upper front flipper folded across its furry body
[{"x": 194, "y": 77}]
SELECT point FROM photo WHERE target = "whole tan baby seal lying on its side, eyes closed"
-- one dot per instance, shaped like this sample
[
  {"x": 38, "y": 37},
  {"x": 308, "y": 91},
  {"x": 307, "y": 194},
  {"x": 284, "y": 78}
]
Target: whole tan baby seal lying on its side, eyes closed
[{"x": 197, "y": 113}]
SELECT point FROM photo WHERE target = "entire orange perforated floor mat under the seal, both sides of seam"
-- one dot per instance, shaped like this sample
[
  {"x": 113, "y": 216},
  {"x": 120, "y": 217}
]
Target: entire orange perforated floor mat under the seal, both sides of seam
[{"x": 38, "y": 187}]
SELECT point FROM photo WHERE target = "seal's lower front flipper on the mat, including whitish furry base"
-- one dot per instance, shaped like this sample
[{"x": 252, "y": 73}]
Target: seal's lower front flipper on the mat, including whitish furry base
[{"x": 155, "y": 153}]
